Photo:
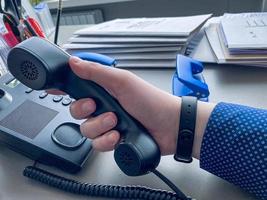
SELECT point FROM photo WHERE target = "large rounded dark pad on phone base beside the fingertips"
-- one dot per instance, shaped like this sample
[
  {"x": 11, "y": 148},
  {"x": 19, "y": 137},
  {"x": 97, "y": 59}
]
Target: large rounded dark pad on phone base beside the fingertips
[{"x": 68, "y": 136}]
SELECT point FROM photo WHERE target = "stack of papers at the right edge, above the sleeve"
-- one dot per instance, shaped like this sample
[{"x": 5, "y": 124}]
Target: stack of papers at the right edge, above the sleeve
[{"x": 240, "y": 39}]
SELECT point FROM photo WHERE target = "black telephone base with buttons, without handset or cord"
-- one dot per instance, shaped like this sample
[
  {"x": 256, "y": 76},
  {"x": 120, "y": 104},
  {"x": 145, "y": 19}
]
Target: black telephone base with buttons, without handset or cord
[{"x": 39, "y": 126}]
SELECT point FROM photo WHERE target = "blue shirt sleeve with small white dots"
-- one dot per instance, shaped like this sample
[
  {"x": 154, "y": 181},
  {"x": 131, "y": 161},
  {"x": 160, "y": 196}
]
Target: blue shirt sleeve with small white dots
[{"x": 234, "y": 147}]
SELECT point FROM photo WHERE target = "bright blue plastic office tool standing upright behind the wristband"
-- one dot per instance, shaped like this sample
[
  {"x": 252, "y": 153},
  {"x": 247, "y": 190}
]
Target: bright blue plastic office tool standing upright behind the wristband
[{"x": 188, "y": 79}]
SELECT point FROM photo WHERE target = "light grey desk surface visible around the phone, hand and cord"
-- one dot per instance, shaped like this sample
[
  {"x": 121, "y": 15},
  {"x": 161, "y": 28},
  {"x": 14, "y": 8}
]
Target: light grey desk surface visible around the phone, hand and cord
[{"x": 243, "y": 85}]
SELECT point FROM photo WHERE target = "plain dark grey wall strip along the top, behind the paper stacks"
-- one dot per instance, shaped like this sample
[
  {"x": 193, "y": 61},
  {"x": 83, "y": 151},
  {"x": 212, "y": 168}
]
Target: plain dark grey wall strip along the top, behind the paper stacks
[{"x": 157, "y": 8}]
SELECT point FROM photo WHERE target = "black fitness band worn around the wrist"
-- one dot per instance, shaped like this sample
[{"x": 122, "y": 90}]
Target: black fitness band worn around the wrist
[{"x": 186, "y": 130}]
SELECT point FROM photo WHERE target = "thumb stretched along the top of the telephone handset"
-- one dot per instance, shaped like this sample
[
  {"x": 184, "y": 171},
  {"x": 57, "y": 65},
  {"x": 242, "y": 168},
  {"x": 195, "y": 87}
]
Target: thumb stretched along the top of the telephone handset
[{"x": 108, "y": 77}]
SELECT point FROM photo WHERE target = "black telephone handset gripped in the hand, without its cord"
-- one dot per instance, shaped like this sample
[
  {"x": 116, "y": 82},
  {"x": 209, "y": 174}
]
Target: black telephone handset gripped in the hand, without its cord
[{"x": 41, "y": 65}]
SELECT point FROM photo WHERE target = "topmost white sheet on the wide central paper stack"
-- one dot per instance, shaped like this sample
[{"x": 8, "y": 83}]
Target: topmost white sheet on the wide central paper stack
[{"x": 171, "y": 26}]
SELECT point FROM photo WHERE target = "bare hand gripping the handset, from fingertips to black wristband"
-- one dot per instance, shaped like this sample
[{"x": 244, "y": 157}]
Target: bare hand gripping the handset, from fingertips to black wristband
[{"x": 157, "y": 110}]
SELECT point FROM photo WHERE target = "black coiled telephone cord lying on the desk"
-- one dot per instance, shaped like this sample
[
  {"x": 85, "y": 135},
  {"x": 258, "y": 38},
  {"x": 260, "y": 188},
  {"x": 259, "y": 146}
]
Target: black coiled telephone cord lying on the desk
[{"x": 104, "y": 191}]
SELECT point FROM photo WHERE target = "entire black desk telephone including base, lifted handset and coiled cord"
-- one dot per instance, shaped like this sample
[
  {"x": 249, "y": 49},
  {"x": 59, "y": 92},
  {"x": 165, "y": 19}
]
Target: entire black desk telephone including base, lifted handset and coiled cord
[{"x": 40, "y": 126}]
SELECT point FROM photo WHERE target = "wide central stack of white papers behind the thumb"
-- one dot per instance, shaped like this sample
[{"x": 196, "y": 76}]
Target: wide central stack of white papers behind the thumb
[{"x": 138, "y": 42}]
